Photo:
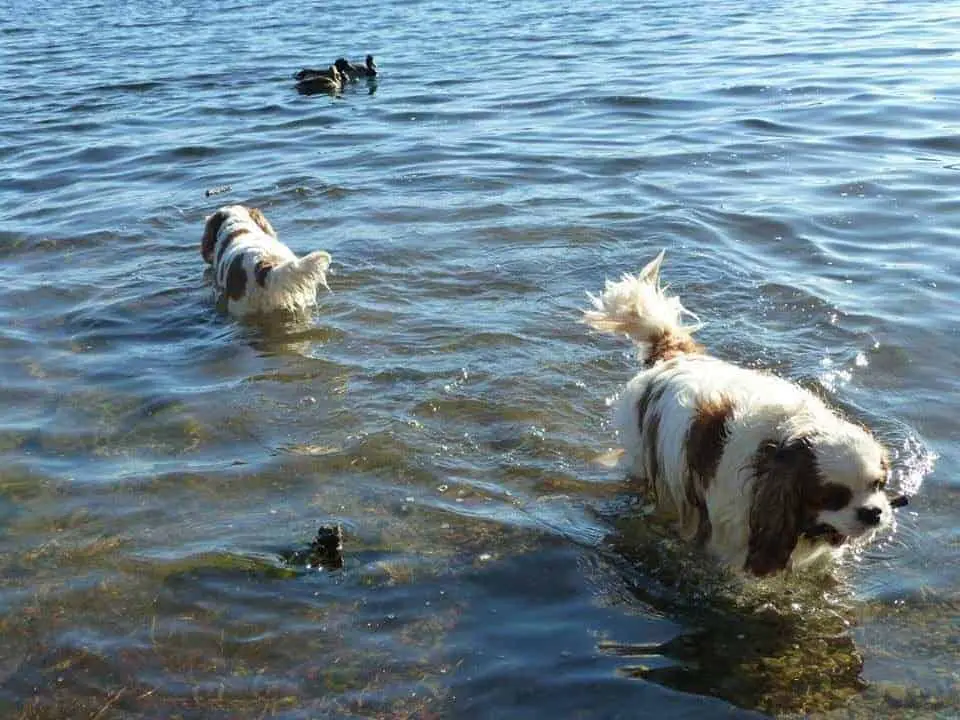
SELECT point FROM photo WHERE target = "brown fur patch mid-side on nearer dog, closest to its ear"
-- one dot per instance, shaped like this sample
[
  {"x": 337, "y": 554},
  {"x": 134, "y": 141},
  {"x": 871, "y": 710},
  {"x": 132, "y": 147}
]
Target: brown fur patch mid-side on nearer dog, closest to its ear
[{"x": 706, "y": 439}]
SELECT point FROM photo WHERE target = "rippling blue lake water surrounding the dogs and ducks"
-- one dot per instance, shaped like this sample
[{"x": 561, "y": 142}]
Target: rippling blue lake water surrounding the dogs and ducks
[{"x": 798, "y": 160}]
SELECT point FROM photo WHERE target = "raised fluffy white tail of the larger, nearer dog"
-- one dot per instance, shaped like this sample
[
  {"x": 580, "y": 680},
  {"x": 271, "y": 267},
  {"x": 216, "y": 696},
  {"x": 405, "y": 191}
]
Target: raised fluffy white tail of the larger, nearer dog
[{"x": 638, "y": 306}]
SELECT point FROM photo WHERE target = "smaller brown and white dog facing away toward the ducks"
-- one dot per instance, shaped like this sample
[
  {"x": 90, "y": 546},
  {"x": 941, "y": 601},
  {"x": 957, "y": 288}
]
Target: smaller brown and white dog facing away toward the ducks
[{"x": 256, "y": 272}]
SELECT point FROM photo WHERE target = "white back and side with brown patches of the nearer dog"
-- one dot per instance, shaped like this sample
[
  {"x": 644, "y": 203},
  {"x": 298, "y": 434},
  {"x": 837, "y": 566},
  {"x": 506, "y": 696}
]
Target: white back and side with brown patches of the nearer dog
[{"x": 691, "y": 427}]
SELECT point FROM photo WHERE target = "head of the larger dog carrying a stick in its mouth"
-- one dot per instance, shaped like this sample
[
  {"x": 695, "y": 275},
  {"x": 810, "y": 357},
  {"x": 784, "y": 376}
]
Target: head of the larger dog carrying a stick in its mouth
[{"x": 826, "y": 487}]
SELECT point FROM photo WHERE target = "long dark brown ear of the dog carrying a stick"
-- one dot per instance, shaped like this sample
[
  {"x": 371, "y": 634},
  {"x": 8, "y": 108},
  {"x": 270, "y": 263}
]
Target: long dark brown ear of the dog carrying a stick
[{"x": 784, "y": 475}]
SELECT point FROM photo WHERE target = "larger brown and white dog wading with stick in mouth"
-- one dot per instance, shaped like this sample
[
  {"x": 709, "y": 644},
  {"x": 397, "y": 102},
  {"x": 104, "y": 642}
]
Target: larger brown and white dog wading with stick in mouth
[{"x": 757, "y": 469}]
